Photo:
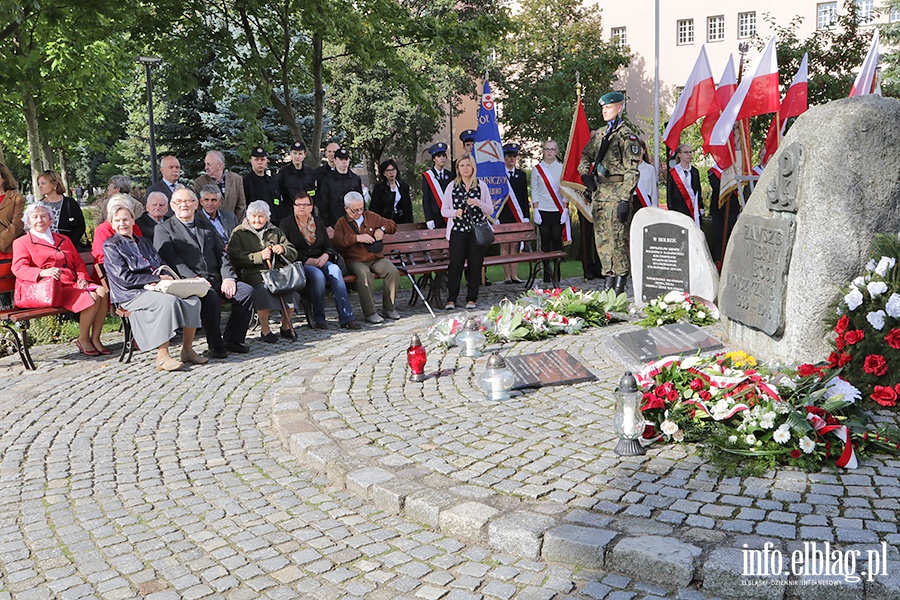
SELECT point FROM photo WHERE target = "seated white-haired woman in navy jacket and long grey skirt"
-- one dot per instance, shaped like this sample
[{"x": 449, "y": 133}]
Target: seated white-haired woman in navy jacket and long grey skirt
[{"x": 130, "y": 264}]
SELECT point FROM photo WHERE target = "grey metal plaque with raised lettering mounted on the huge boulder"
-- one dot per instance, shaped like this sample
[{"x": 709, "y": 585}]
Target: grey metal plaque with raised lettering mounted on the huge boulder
[{"x": 754, "y": 290}]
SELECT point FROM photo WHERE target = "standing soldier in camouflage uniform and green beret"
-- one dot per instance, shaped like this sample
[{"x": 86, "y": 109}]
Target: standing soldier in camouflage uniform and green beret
[{"x": 609, "y": 169}]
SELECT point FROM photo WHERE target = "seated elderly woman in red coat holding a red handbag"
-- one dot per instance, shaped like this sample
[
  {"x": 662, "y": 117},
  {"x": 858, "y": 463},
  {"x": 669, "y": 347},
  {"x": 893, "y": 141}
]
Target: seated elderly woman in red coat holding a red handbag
[{"x": 41, "y": 253}]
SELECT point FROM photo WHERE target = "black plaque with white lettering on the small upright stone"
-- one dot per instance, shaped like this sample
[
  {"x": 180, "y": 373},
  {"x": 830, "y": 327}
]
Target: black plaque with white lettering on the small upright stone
[{"x": 667, "y": 264}]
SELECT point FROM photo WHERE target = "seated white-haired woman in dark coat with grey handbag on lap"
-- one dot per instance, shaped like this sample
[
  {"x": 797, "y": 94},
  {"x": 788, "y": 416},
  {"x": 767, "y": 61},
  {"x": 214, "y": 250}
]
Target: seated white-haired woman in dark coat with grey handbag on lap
[{"x": 254, "y": 245}]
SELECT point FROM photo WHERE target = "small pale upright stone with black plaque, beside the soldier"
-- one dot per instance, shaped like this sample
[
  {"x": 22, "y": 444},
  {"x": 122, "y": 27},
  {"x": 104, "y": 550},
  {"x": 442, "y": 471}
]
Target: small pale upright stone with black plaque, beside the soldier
[{"x": 669, "y": 252}]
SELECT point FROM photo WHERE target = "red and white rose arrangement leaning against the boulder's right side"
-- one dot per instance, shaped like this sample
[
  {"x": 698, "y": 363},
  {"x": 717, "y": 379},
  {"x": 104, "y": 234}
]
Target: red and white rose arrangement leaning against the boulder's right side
[{"x": 867, "y": 326}]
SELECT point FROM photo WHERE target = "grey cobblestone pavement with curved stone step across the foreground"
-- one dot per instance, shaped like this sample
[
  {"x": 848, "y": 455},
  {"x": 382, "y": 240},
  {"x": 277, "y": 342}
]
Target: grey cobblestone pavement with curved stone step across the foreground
[{"x": 315, "y": 470}]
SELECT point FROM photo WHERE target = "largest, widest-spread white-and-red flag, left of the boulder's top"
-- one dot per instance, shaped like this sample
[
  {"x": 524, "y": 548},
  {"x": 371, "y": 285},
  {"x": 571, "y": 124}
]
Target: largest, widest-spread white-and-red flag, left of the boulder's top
[{"x": 756, "y": 95}]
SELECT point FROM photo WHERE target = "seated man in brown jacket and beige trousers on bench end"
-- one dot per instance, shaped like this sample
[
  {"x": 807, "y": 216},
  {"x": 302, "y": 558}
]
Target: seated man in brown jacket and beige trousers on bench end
[{"x": 358, "y": 237}]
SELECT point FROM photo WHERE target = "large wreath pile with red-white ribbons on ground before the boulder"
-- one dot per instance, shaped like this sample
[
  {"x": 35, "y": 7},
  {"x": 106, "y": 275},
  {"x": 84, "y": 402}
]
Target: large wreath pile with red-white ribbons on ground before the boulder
[{"x": 749, "y": 418}]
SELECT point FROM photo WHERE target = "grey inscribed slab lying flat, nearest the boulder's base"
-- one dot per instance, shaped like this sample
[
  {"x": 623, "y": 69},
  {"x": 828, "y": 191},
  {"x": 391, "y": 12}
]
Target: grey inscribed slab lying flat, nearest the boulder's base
[{"x": 669, "y": 340}]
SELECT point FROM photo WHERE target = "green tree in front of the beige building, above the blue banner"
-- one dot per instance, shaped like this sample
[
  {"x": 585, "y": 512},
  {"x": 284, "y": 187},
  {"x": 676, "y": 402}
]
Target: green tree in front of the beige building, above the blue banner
[{"x": 554, "y": 39}]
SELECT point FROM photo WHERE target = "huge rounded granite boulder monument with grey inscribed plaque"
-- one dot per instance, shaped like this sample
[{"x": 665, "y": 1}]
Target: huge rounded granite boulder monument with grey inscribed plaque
[{"x": 805, "y": 231}]
